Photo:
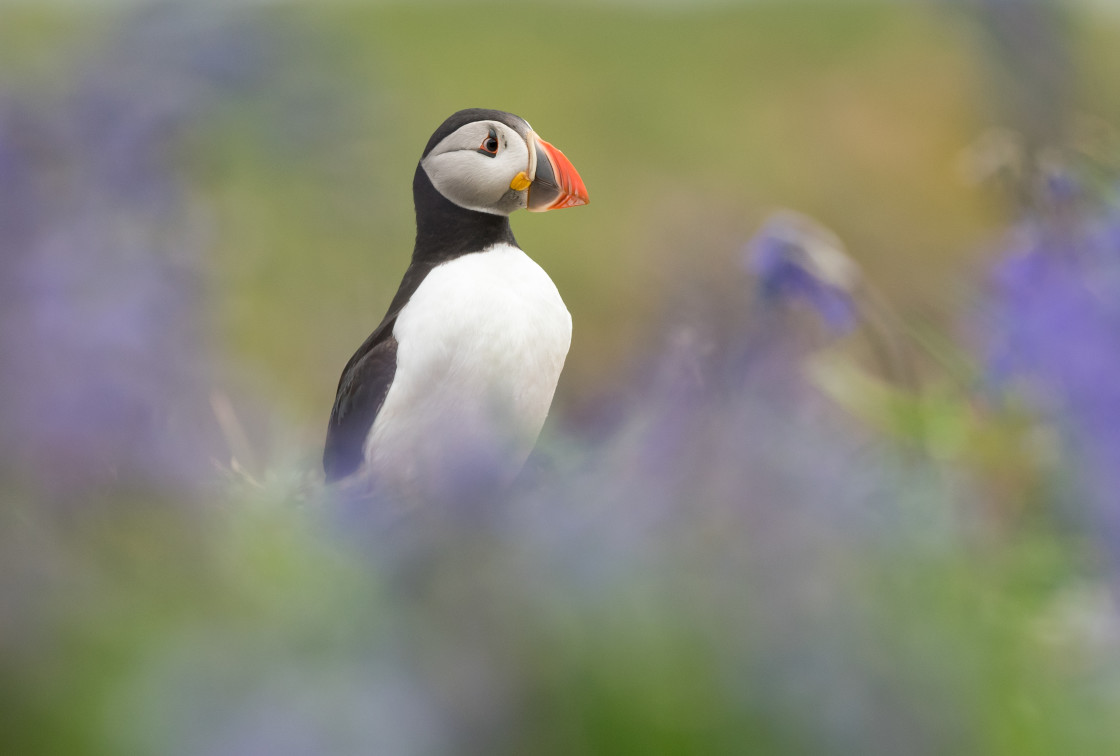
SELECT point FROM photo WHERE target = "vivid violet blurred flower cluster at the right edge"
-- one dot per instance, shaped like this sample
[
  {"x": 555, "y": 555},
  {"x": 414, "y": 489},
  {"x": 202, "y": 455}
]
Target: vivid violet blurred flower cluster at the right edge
[{"x": 1054, "y": 332}]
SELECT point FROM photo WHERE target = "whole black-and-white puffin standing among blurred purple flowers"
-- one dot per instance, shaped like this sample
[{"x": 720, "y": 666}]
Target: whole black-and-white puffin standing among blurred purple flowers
[{"x": 464, "y": 366}]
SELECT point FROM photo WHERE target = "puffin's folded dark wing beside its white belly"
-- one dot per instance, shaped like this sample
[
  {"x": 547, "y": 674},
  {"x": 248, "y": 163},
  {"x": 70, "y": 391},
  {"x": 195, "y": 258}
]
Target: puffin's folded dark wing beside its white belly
[{"x": 361, "y": 394}]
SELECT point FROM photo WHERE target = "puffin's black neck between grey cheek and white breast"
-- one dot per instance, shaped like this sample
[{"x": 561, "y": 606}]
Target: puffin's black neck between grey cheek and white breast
[{"x": 446, "y": 231}]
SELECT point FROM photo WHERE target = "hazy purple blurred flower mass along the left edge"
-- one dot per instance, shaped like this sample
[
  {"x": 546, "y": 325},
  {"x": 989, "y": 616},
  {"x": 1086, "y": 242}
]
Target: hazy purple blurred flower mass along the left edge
[{"x": 105, "y": 367}]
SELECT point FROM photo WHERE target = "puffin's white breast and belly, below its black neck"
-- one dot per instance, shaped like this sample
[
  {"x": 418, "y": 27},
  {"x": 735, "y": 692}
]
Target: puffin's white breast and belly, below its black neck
[{"x": 481, "y": 346}]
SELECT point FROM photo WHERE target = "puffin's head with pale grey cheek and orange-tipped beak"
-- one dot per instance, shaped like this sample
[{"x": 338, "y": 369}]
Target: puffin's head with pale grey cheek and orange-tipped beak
[{"x": 492, "y": 162}]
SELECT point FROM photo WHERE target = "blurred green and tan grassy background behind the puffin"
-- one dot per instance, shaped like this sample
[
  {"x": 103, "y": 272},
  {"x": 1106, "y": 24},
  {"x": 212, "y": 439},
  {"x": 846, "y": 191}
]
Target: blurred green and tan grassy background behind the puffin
[{"x": 688, "y": 122}]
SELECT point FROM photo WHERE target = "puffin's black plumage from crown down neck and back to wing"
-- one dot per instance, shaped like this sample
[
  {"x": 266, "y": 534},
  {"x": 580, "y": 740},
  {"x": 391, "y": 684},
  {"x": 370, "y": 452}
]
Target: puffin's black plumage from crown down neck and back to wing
[{"x": 445, "y": 232}]
